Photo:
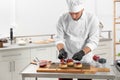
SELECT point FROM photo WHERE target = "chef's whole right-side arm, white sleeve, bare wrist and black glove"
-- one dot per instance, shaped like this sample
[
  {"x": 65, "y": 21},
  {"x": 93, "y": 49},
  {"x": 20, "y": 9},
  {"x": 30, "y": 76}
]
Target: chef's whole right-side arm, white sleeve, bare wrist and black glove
[{"x": 92, "y": 42}]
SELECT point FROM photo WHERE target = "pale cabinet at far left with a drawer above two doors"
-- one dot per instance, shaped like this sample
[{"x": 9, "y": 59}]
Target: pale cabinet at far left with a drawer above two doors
[{"x": 12, "y": 62}]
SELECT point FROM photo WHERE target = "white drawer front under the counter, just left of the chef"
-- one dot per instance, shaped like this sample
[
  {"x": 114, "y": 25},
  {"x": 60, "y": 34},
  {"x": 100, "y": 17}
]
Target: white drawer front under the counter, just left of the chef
[{"x": 43, "y": 53}]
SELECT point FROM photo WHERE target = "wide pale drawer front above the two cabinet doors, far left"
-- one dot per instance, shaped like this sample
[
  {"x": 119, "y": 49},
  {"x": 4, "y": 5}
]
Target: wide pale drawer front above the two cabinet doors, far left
[{"x": 14, "y": 54}]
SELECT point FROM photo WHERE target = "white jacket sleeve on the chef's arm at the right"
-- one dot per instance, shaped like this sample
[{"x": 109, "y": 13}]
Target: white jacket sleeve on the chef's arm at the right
[{"x": 93, "y": 36}]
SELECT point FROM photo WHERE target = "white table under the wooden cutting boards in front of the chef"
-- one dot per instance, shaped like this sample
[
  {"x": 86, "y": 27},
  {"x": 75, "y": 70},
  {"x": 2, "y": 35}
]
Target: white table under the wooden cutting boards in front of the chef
[{"x": 30, "y": 71}]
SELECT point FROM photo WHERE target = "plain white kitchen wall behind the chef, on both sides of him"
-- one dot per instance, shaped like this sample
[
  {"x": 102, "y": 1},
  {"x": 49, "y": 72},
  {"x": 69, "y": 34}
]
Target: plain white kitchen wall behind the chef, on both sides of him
[{"x": 40, "y": 16}]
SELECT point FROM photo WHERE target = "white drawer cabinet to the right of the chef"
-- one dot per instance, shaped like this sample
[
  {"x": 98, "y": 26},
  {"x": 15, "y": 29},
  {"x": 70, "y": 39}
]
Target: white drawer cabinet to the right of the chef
[{"x": 104, "y": 50}]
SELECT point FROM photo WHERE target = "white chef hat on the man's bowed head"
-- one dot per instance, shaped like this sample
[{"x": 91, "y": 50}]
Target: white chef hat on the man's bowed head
[{"x": 75, "y": 5}]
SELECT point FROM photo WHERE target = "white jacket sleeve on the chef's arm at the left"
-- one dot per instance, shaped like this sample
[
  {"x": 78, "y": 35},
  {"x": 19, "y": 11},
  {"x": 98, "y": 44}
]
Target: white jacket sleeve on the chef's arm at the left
[{"x": 60, "y": 32}]
